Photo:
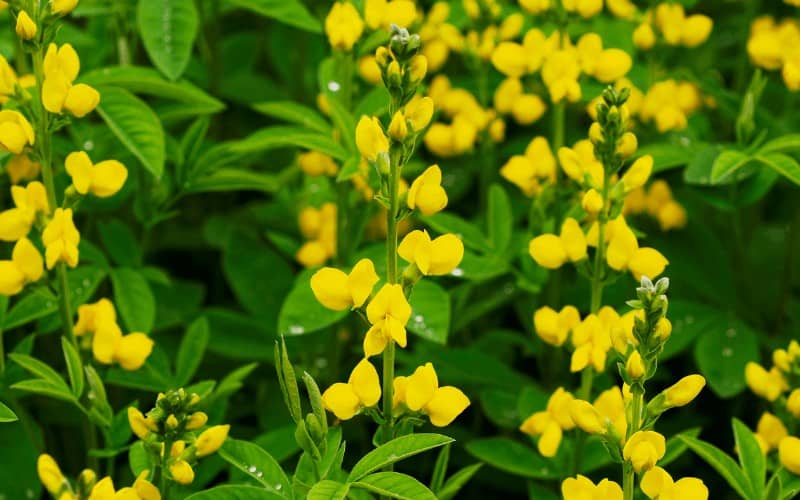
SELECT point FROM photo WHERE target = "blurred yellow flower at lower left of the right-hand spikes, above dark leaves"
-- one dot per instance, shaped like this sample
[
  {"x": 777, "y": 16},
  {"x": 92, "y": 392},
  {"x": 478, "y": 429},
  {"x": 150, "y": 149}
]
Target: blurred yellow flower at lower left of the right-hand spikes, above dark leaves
[{"x": 550, "y": 423}]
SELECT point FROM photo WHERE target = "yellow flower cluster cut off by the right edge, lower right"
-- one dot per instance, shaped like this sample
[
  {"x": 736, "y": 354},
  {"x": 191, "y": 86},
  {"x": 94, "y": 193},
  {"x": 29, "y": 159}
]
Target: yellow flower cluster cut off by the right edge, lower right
[{"x": 780, "y": 386}]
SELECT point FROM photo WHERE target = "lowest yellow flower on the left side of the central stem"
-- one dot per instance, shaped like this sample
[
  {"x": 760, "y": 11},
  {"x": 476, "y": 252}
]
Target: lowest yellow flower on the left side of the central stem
[{"x": 362, "y": 390}]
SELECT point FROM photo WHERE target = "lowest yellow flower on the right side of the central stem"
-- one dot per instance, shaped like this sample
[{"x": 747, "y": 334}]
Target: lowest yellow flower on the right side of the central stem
[{"x": 421, "y": 393}]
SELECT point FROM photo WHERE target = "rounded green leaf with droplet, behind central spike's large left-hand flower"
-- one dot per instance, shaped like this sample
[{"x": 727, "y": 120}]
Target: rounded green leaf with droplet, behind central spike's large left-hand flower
[{"x": 302, "y": 313}]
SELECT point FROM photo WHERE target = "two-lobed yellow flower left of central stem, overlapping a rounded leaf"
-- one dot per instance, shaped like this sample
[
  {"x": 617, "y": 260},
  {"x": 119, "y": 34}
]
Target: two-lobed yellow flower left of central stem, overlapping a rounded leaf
[{"x": 336, "y": 290}]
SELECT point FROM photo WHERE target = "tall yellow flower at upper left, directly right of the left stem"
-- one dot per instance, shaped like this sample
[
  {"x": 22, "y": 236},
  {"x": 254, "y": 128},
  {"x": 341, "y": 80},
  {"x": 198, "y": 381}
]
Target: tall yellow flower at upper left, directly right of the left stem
[{"x": 61, "y": 67}]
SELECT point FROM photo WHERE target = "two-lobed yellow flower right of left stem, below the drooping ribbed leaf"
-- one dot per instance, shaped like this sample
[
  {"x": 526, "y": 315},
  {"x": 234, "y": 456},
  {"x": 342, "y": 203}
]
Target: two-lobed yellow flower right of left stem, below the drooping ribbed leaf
[{"x": 103, "y": 180}]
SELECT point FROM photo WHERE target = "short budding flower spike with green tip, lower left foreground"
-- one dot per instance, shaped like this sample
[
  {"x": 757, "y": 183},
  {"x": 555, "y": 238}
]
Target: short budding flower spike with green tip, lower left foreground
[{"x": 170, "y": 435}]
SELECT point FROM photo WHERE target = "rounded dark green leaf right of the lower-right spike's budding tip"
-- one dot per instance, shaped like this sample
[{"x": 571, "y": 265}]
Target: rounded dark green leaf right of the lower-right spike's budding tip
[{"x": 722, "y": 354}]
